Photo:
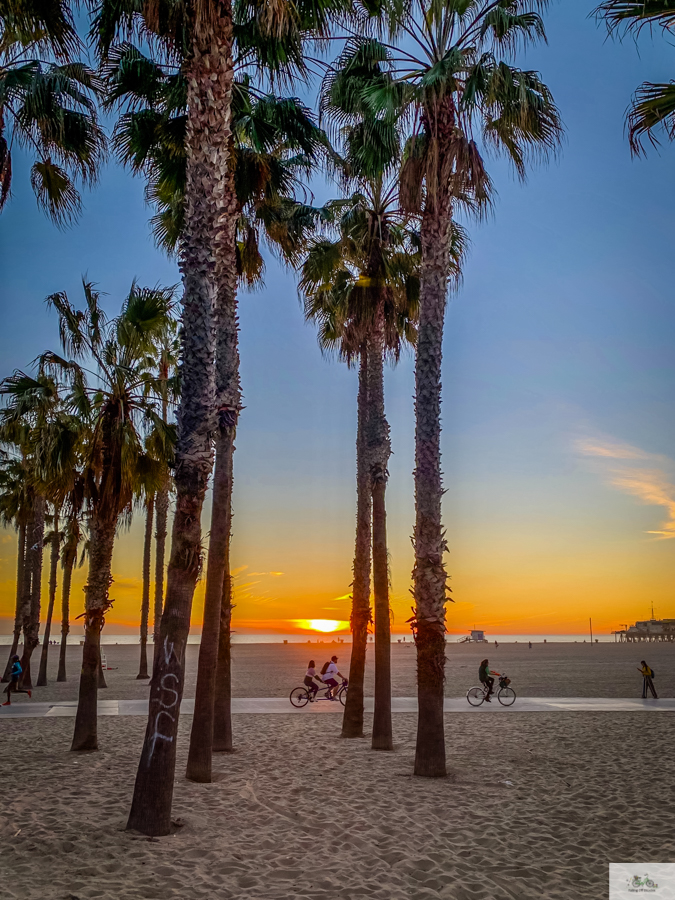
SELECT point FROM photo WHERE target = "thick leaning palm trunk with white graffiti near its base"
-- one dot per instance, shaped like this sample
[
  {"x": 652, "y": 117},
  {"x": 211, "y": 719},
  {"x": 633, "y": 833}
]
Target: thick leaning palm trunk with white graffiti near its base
[{"x": 209, "y": 76}]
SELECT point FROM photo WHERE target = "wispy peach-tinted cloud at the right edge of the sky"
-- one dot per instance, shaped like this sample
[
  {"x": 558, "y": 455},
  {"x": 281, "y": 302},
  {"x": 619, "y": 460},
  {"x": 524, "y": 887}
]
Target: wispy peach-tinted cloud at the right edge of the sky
[{"x": 652, "y": 485}]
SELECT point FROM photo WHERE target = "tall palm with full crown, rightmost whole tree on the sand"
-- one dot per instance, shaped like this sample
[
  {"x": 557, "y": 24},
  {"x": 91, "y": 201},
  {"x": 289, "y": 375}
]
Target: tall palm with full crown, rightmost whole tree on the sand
[{"x": 450, "y": 70}]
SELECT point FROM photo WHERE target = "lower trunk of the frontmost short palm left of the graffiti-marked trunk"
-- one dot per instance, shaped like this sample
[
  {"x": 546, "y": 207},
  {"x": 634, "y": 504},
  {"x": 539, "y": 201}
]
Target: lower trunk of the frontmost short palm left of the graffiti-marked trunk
[{"x": 96, "y": 603}]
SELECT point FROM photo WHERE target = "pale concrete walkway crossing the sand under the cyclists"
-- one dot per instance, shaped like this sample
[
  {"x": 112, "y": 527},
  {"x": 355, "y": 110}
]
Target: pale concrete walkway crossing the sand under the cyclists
[{"x": 28, "y": 709}]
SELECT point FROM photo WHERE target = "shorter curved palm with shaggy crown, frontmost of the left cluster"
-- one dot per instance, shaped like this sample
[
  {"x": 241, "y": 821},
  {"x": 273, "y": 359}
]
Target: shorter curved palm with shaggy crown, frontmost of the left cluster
[{"x": 114, "y": 405}]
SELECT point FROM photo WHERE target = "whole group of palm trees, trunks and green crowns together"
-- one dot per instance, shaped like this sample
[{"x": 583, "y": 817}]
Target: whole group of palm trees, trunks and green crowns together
[{"x": 418, "y": 92}]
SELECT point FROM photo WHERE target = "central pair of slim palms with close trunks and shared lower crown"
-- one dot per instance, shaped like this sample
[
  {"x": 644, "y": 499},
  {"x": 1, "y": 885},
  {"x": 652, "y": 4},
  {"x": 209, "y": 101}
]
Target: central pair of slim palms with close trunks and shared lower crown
[{"x": 364, "y": 300}]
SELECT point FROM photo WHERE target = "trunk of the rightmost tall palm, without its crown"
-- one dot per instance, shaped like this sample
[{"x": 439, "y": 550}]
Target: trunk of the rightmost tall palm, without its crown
[{"x": 429, "y": 574}]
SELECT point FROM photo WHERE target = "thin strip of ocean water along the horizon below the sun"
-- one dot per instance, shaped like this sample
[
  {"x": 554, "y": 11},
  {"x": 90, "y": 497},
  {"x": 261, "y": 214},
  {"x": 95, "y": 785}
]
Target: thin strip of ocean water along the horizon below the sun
[{"x": 262, "y": 638}]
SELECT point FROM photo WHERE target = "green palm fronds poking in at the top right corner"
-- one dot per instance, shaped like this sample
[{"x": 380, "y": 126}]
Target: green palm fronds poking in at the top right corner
[{"x": 653, "y": 105}]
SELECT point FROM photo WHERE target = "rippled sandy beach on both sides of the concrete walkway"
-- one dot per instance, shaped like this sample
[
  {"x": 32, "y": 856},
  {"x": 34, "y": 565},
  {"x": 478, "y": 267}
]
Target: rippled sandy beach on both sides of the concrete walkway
[{"x": 536, "y": 805}]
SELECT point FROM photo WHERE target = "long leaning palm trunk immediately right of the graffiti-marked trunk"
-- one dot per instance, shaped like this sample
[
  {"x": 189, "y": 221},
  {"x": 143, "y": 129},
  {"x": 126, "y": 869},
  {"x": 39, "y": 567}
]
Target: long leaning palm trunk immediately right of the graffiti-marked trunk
[{"x": 228, "y": 399}]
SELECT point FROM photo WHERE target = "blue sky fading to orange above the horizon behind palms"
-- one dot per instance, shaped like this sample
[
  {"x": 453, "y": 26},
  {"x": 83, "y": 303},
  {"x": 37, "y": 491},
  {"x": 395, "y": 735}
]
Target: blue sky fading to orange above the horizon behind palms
[{"x": 558, "y": 351}]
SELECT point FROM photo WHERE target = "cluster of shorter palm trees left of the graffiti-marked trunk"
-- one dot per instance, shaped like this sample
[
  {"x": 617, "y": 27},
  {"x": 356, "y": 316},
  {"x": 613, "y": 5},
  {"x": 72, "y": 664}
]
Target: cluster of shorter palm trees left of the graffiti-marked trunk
[{"x": 86, "y": 439}]
